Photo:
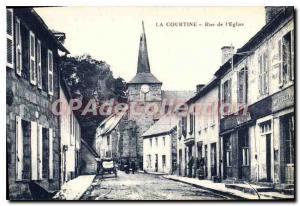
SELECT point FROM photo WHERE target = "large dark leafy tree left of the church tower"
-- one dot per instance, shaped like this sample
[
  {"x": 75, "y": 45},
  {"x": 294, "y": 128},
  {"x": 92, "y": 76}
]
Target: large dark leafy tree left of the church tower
[{"x": 90, "y": 79}]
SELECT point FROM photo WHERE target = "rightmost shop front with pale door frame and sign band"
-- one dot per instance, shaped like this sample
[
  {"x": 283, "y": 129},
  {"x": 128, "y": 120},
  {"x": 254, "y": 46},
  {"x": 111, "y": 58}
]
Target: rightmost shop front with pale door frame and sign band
[{"x": 274, "y": 138}]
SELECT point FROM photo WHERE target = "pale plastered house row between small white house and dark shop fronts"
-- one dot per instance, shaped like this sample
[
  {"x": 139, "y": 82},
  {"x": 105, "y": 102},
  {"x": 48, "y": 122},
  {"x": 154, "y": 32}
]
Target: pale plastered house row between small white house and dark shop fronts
[{"x": 198, "y": 136}]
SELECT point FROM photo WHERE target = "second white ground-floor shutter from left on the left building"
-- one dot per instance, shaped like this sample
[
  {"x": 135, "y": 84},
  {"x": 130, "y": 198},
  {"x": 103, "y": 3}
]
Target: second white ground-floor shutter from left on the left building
[{"x": 34, "y": 151}]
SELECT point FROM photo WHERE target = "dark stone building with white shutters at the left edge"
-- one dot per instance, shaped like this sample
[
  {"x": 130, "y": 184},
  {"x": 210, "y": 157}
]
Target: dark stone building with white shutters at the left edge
[{"x": 32, "y": 85}]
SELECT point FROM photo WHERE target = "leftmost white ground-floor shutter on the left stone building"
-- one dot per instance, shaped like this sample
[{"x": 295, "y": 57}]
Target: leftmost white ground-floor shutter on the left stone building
[{"x": 19, "y": 149}]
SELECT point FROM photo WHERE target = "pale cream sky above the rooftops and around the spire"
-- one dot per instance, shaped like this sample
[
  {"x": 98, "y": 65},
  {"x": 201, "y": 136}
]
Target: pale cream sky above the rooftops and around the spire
[{"x": 181, "y": 57}]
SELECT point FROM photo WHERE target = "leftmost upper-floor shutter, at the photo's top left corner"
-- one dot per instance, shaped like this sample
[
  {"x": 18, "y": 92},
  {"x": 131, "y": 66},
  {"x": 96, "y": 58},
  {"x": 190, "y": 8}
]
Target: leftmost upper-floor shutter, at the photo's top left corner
[{"x": 9, "y": 38}]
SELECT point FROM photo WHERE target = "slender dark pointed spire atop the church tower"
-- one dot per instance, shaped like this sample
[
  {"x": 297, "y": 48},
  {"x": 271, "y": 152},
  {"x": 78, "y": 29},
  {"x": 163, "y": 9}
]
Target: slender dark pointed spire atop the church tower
[{"x": 143, "y": 60}]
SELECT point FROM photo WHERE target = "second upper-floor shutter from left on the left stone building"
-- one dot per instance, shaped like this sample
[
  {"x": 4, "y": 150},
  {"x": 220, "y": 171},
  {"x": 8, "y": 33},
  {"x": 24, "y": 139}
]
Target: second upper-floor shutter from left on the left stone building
[{"x": 18, "y": 40}]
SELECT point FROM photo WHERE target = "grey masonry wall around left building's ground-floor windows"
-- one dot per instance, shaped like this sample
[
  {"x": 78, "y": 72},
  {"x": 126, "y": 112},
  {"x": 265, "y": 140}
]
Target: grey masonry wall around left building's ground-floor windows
[{"x": 31, "y": 104}]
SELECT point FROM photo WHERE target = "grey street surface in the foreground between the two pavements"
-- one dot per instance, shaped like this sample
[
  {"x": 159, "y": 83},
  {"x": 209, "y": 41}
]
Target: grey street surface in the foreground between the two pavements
[{"x": 144, "y": 187}]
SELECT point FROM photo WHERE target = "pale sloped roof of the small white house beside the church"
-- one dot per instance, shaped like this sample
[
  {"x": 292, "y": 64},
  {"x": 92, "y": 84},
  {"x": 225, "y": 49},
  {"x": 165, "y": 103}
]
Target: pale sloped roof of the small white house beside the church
[{"x": 164, "y": 125}]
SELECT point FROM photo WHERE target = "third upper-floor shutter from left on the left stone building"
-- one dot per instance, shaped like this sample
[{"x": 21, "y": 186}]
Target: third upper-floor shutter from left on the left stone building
[{"x": 32, "y": 59}]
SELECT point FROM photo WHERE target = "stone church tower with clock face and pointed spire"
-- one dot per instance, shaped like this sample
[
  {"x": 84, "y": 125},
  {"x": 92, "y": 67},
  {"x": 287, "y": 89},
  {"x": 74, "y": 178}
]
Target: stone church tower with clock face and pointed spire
[{"x": 144, "y": 90}]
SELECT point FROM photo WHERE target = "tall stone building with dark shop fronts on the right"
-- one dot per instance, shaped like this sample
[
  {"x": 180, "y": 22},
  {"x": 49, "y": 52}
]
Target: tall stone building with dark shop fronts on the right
[{"x": 257, "y": 96}]
